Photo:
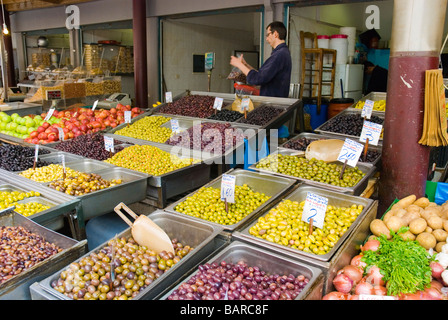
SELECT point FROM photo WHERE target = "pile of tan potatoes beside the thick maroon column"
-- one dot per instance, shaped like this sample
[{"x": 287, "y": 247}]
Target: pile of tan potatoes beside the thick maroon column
[{"x": 427, "y": 222}]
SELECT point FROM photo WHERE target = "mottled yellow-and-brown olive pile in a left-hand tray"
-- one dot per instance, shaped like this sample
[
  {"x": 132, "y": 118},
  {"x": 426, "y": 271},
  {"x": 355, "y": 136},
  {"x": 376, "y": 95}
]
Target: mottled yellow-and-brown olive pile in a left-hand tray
[{"x": 83, "y": 184}]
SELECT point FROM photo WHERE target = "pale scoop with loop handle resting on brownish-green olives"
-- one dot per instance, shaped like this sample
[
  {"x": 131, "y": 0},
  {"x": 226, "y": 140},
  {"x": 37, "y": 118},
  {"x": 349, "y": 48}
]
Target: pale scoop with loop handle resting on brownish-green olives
[{"x": 145, "y": 232}]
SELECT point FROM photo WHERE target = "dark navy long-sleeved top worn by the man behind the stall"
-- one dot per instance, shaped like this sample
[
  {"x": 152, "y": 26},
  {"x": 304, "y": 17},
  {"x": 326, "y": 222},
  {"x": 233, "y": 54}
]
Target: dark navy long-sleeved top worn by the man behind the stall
[{"x": 274, "y": 76}]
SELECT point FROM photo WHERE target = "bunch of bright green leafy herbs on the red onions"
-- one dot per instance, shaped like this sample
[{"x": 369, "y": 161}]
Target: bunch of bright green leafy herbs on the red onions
[{"x": 404, "y": 264}]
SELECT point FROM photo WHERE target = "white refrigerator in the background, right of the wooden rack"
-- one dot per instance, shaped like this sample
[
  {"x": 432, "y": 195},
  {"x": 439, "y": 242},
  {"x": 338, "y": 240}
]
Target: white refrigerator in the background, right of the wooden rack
[{"x": 352, "y": 76}]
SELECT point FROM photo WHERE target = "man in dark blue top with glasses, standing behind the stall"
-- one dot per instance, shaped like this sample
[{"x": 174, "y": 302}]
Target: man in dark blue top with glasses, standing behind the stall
[{"x": 274, "y": 76}]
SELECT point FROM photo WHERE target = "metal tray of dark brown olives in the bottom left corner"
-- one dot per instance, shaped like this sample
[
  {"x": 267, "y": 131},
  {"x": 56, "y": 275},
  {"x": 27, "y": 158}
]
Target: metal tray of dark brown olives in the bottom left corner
[{"x": 17, "y": 288}]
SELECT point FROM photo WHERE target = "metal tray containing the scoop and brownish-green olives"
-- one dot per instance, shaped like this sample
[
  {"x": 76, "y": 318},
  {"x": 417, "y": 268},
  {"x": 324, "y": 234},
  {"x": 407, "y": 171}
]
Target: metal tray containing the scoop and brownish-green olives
[{"x": 202, "y": 237}]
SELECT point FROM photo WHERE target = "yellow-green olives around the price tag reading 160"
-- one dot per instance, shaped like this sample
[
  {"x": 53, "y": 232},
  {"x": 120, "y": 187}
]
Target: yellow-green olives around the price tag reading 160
[{"x": 206, "y": 204}]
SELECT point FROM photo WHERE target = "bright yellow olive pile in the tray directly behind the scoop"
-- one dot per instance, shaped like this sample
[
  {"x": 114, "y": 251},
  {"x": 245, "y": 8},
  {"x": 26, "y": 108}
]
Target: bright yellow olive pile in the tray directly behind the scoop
[{"x": 148, "y": 159}]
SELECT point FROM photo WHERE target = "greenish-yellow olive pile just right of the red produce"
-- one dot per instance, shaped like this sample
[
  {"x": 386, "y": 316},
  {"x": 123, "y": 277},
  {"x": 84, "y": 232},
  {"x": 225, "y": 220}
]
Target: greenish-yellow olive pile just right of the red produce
[{"x": 148, "y": 128}]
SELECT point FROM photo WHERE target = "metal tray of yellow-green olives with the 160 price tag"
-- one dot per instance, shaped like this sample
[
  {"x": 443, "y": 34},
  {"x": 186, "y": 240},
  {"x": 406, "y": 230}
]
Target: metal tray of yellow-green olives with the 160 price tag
[{"x": 270, "y": 185}]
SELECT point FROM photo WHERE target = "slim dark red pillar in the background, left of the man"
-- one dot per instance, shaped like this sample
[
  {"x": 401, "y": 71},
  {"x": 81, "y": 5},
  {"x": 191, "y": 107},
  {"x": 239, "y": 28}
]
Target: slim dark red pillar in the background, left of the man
[{"x": 140, "y": 62}]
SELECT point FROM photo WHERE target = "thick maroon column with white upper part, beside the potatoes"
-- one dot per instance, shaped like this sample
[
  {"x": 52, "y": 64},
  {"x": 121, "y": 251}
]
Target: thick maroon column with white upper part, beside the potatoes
[{"x": 417, "y": 31}]
